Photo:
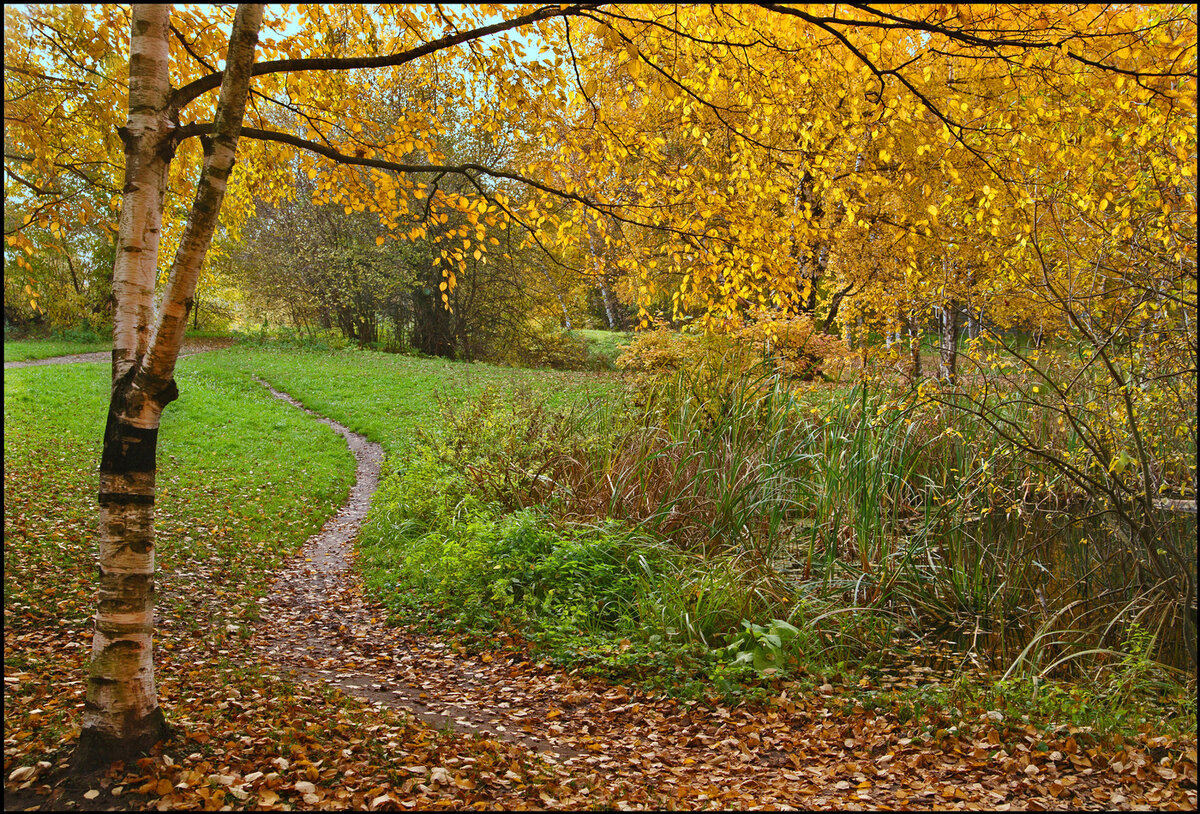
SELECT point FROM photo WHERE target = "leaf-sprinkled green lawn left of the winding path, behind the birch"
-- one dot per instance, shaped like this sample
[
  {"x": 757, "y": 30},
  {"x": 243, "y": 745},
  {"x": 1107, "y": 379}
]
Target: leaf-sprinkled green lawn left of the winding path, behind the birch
[{"x": 227, "y": 500}]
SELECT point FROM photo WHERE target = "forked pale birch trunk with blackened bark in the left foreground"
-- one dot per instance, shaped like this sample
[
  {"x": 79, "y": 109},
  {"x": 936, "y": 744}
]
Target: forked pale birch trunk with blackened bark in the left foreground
[{"x": 122, "y": 714}]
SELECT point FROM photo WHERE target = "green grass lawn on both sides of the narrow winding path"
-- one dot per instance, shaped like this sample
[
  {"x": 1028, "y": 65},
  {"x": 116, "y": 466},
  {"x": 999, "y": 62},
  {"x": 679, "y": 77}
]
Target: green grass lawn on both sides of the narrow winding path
[{"x": 230, "y": 501}]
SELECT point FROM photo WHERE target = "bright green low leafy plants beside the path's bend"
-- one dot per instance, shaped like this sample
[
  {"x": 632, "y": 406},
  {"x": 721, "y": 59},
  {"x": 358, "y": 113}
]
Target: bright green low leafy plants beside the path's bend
[{"x": 429, "y": 537}]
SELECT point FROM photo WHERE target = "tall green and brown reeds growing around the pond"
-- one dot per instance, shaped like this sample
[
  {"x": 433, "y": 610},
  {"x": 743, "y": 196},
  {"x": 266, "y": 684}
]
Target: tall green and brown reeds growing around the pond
[{"x": 835, "y": 507}]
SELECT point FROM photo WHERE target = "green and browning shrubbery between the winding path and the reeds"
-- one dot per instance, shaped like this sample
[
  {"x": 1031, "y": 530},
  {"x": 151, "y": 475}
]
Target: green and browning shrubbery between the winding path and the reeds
[{"x": 479, "y": 530}]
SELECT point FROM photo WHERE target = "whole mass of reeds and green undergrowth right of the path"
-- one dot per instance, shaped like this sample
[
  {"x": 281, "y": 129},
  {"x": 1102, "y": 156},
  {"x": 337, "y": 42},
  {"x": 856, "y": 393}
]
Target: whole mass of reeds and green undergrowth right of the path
[{"x": 848, "y": 514}]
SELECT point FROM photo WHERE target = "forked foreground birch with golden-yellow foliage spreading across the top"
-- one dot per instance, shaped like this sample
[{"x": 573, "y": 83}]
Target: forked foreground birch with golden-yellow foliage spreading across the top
[{"x": 723, "y": 159}]
